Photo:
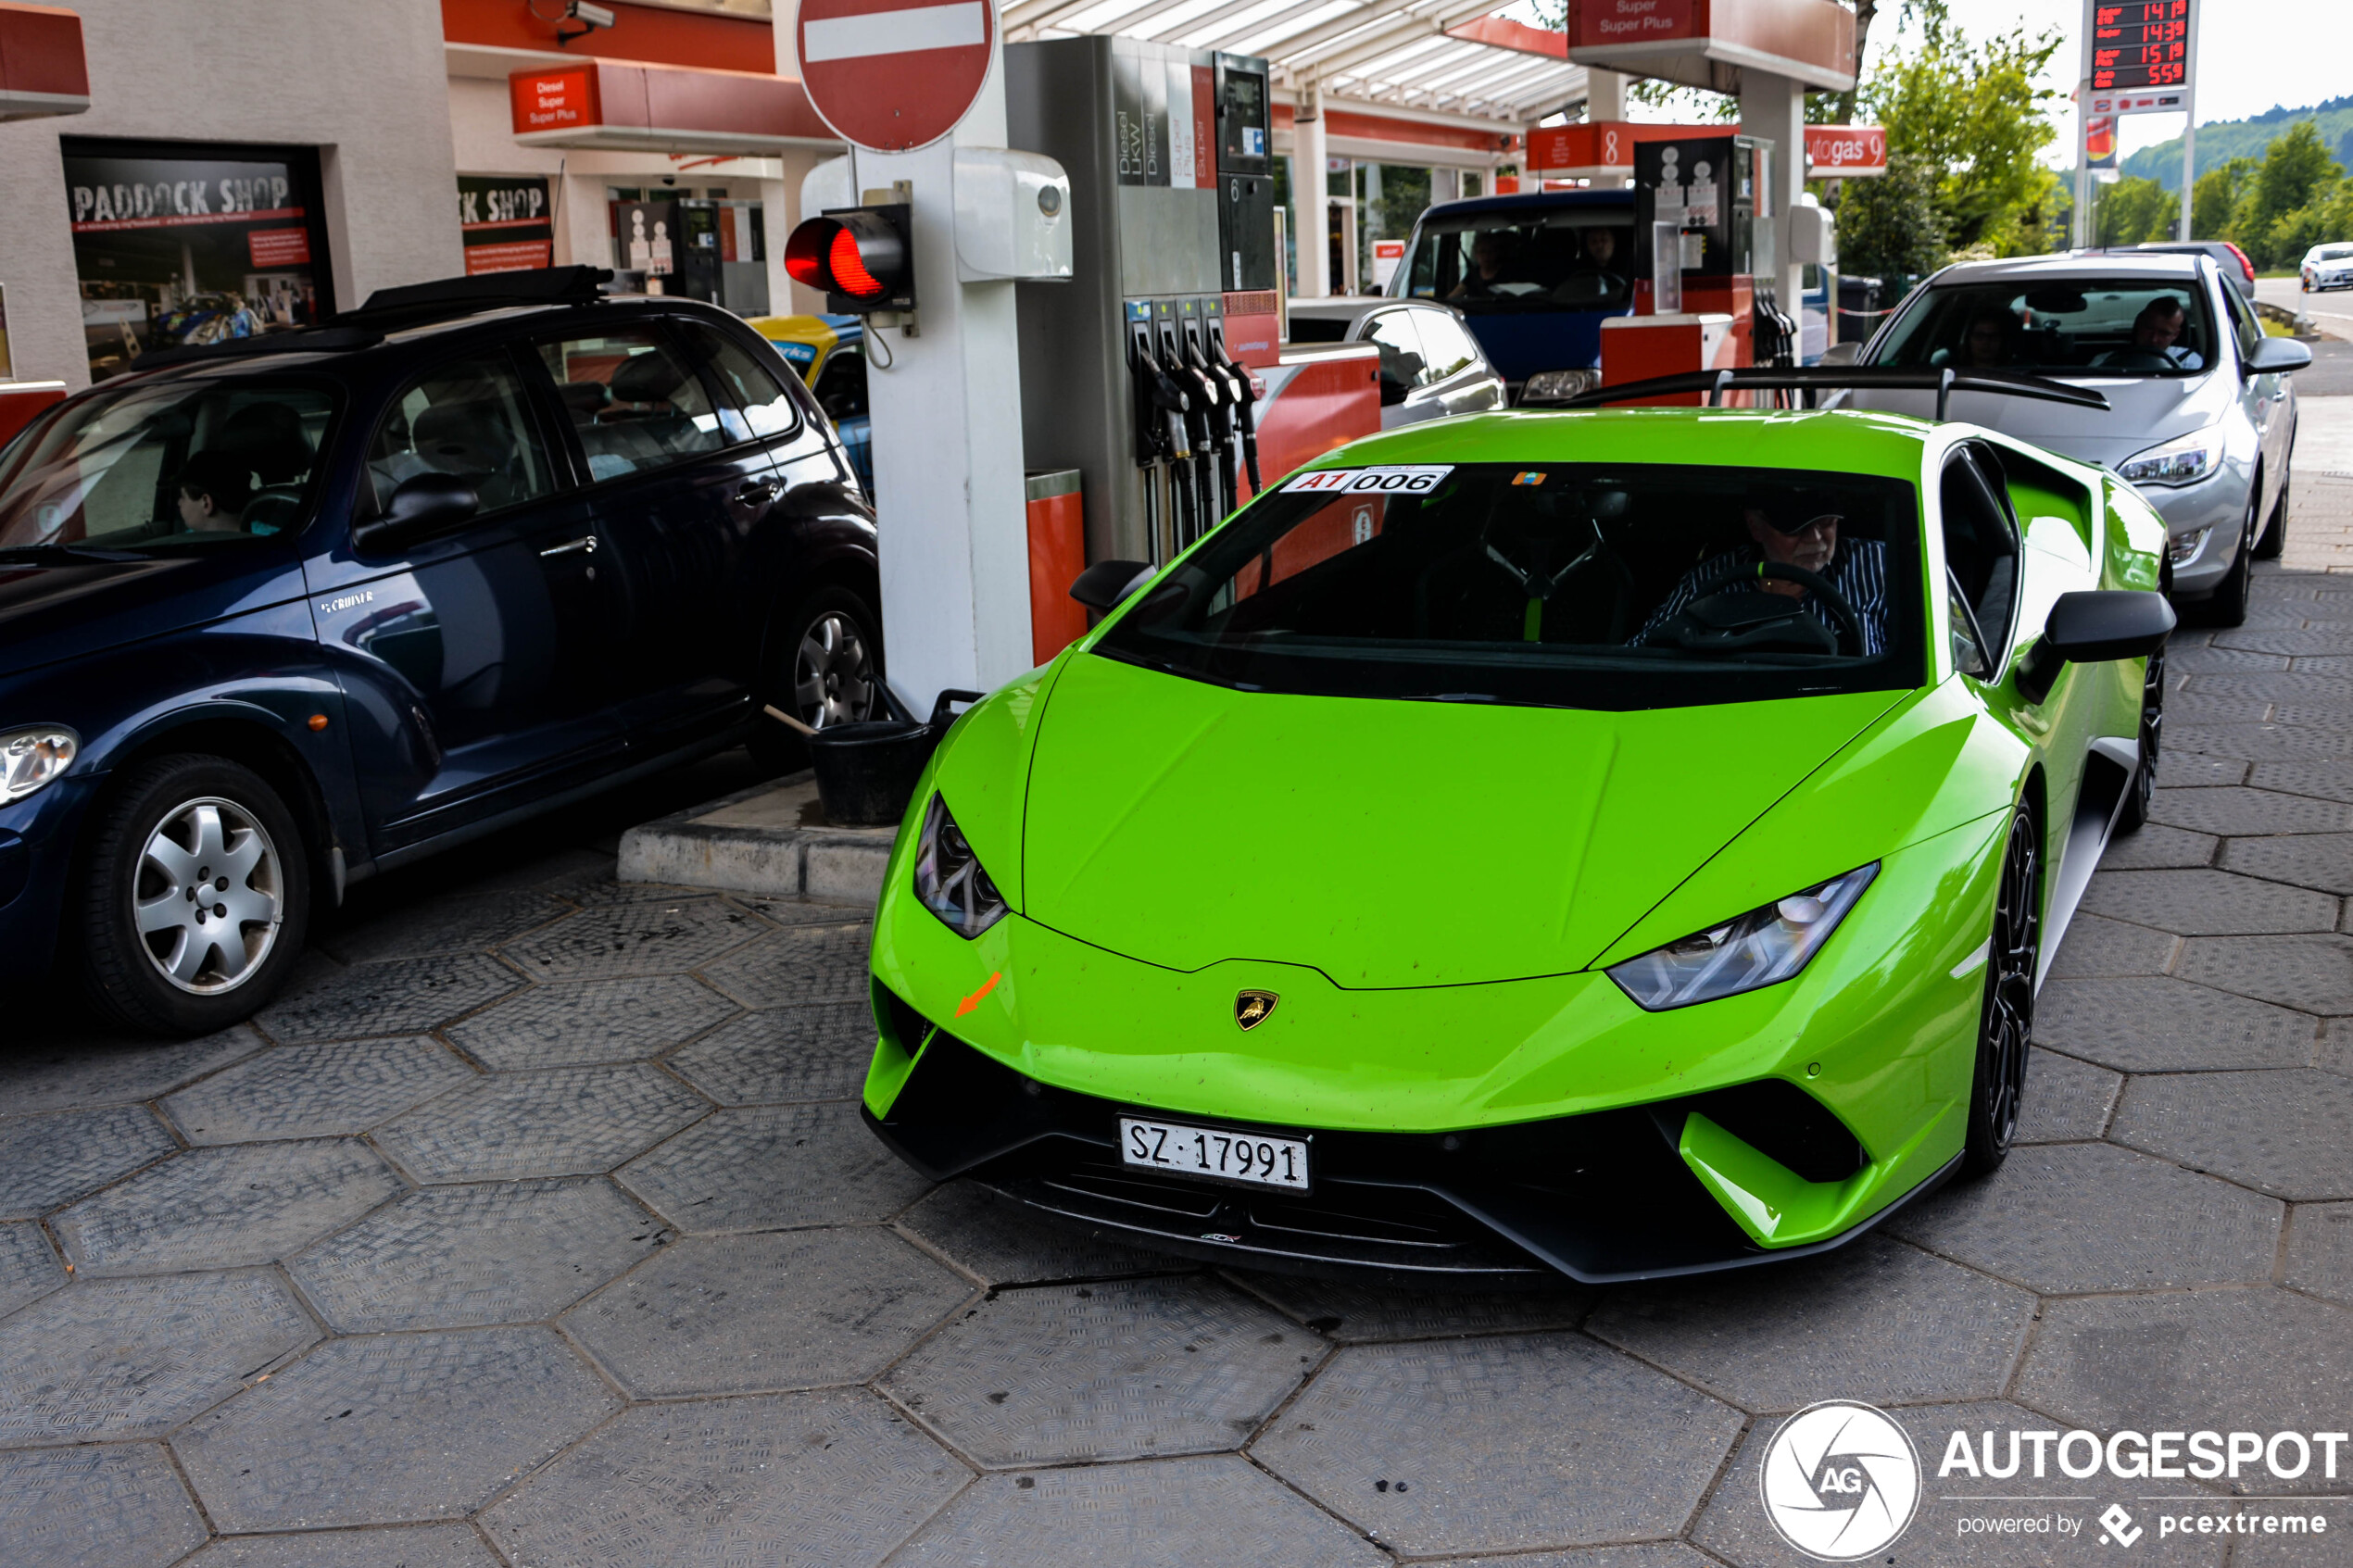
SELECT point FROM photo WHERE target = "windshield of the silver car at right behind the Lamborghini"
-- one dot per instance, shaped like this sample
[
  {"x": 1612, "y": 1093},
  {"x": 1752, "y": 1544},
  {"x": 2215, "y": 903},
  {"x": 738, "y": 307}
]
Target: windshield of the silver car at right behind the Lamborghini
[{"x": 2058, "y": 328}]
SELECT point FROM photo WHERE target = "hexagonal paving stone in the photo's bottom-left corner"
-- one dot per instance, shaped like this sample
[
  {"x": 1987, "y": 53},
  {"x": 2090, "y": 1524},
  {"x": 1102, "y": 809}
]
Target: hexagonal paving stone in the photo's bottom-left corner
[{"x": 95, "y": 1508}]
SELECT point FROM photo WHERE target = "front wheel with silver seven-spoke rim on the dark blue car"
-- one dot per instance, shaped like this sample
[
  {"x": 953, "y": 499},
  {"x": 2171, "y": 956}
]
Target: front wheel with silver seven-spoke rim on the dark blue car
[{"x": 196, "y": 897}]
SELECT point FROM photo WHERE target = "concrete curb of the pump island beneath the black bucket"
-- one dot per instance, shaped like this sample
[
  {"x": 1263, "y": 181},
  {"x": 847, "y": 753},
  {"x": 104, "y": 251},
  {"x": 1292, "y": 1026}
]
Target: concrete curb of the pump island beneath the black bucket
[{"x": 754, "y": 843}]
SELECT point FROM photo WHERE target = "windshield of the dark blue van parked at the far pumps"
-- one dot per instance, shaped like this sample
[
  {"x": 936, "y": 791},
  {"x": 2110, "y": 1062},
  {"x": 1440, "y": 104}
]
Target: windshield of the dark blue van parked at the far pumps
[{"x": 1500, "y": 262}]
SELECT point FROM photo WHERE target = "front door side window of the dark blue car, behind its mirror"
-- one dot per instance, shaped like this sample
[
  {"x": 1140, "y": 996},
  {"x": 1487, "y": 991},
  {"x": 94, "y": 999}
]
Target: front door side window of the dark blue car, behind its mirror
[{"x": 465, "y": 420}]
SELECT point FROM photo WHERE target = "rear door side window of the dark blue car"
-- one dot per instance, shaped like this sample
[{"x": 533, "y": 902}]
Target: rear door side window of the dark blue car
[{"x": 636, "y": 406}]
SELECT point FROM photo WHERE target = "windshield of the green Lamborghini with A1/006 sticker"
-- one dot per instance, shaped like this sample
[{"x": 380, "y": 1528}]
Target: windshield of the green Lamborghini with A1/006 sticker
[{"x": 1549, "y": 584}]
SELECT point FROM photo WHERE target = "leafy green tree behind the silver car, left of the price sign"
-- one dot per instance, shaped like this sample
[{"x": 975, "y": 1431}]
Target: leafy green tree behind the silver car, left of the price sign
[{"x": 1973, "y": 116}]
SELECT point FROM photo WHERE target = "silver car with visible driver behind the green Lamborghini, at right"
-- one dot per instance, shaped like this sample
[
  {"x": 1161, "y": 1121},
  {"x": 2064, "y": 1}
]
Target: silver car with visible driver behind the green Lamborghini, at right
[{"x": 2201, "y": 406}]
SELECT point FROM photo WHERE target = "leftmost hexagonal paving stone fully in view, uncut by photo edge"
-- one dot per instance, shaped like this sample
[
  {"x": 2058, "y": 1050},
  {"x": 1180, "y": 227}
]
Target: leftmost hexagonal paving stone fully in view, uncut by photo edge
[{"x": 213, "y": 1209}]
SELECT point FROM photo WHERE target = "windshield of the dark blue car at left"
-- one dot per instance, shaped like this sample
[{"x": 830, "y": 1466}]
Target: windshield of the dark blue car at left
[{"x": 178, "y": 464}]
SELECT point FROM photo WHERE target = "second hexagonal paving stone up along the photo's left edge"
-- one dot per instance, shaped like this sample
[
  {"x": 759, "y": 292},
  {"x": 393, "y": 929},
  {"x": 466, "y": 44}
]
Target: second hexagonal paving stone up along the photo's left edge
[{"x": 135, "y": 1358}]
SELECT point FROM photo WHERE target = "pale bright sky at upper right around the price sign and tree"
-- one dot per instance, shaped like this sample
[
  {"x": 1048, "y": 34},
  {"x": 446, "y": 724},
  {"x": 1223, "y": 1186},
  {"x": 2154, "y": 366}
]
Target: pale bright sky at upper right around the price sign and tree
[{"x": 2251, "y": 55}]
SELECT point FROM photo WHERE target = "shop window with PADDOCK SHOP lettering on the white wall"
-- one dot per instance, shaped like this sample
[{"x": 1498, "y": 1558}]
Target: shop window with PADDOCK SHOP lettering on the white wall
[{"x": 182, "y": 243}]
